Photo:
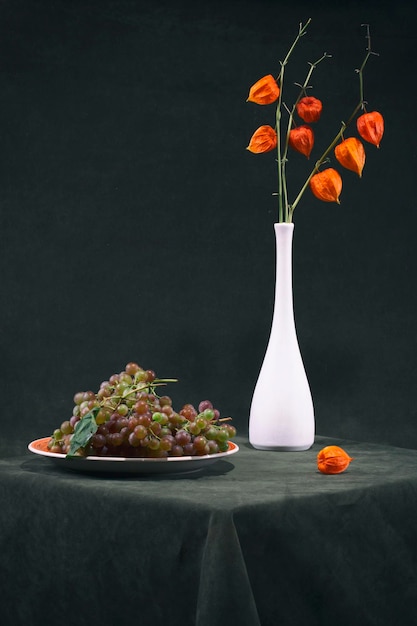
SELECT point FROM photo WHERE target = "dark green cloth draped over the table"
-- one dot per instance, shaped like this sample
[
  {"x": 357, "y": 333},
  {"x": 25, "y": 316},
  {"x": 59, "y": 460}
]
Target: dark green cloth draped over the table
[{"x": 261, "y": 538}]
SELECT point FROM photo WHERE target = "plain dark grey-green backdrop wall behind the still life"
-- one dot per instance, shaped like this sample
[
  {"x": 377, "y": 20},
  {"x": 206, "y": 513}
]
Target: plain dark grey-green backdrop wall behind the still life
[{"x": 135, "y": 225}]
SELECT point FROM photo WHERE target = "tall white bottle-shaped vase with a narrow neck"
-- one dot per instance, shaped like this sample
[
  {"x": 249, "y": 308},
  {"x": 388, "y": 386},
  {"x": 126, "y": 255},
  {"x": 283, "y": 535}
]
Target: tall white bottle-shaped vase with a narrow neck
[{"x": 282, "y": 413}]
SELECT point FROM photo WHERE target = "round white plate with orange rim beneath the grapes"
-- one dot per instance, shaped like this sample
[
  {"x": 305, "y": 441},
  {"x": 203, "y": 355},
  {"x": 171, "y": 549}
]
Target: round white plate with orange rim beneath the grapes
[{"x": 123, "y": 465}]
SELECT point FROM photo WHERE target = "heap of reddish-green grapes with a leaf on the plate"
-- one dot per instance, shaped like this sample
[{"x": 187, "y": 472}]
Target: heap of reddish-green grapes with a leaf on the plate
[{"x": 127, "y": 418}]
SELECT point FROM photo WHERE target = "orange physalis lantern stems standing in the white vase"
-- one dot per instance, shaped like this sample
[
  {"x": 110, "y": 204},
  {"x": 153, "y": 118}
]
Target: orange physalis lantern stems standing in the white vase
[{"x": 349, "y": 152}]
